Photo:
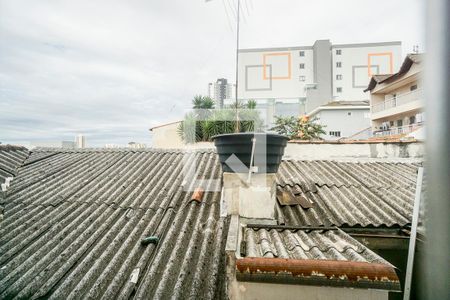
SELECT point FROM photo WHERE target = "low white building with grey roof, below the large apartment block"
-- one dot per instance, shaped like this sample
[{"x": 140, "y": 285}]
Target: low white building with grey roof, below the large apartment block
[{"x": 343, "y": 119}]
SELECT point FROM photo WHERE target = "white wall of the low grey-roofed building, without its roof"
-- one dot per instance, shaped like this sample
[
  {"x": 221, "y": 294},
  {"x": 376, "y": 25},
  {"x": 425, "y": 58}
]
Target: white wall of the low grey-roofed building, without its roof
[{"x": 347, "y": 121}]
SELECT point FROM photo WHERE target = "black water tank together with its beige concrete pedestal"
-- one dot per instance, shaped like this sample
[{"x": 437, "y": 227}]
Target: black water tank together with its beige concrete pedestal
[{"x": 250, "y": 162}]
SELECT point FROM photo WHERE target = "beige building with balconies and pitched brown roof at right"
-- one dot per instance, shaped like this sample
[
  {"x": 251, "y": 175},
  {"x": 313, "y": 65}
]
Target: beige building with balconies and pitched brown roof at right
[{"x": 396, "y": 100}]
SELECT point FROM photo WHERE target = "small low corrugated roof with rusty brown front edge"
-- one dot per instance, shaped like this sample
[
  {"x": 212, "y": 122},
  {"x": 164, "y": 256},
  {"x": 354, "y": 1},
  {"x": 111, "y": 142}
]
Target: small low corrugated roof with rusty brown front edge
[{"x": 328, "y": 257}]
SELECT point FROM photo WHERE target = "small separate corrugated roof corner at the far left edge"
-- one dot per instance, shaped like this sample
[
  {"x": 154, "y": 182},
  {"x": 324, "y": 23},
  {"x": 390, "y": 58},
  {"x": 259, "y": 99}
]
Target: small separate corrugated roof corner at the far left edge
[{"x": 11, "y": 157}]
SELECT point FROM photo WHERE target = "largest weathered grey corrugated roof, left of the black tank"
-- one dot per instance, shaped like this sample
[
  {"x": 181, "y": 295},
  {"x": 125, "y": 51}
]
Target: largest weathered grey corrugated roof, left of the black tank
[{"x": 74, "y": 221}]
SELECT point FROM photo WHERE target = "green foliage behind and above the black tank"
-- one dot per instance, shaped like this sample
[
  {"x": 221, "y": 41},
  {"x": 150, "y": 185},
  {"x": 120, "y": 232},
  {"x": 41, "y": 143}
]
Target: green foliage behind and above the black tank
[{"x": 205, "y": 121}]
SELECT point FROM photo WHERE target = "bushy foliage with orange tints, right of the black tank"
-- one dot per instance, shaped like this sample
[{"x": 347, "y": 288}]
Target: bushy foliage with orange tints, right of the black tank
[{"x": 302, "y": 128}]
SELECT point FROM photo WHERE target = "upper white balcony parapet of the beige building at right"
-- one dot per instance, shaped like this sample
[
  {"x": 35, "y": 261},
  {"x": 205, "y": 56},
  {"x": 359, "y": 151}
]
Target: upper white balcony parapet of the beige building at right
[{"x": 397, "y": 105}]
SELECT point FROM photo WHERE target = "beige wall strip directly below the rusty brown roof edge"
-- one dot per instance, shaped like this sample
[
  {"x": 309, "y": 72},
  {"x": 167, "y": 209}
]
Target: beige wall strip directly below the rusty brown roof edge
[{"x": 253, "y": 290}]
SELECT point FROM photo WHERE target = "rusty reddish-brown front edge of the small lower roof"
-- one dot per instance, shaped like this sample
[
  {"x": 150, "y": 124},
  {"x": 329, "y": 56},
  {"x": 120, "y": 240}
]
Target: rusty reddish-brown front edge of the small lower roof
[{"x": 318, "y": 272}]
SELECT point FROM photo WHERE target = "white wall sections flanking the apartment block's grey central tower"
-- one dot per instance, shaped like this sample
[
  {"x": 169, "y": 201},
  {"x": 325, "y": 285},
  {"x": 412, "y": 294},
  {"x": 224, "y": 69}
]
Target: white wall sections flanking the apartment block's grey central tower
[{"x": 351, "y": 55}]
